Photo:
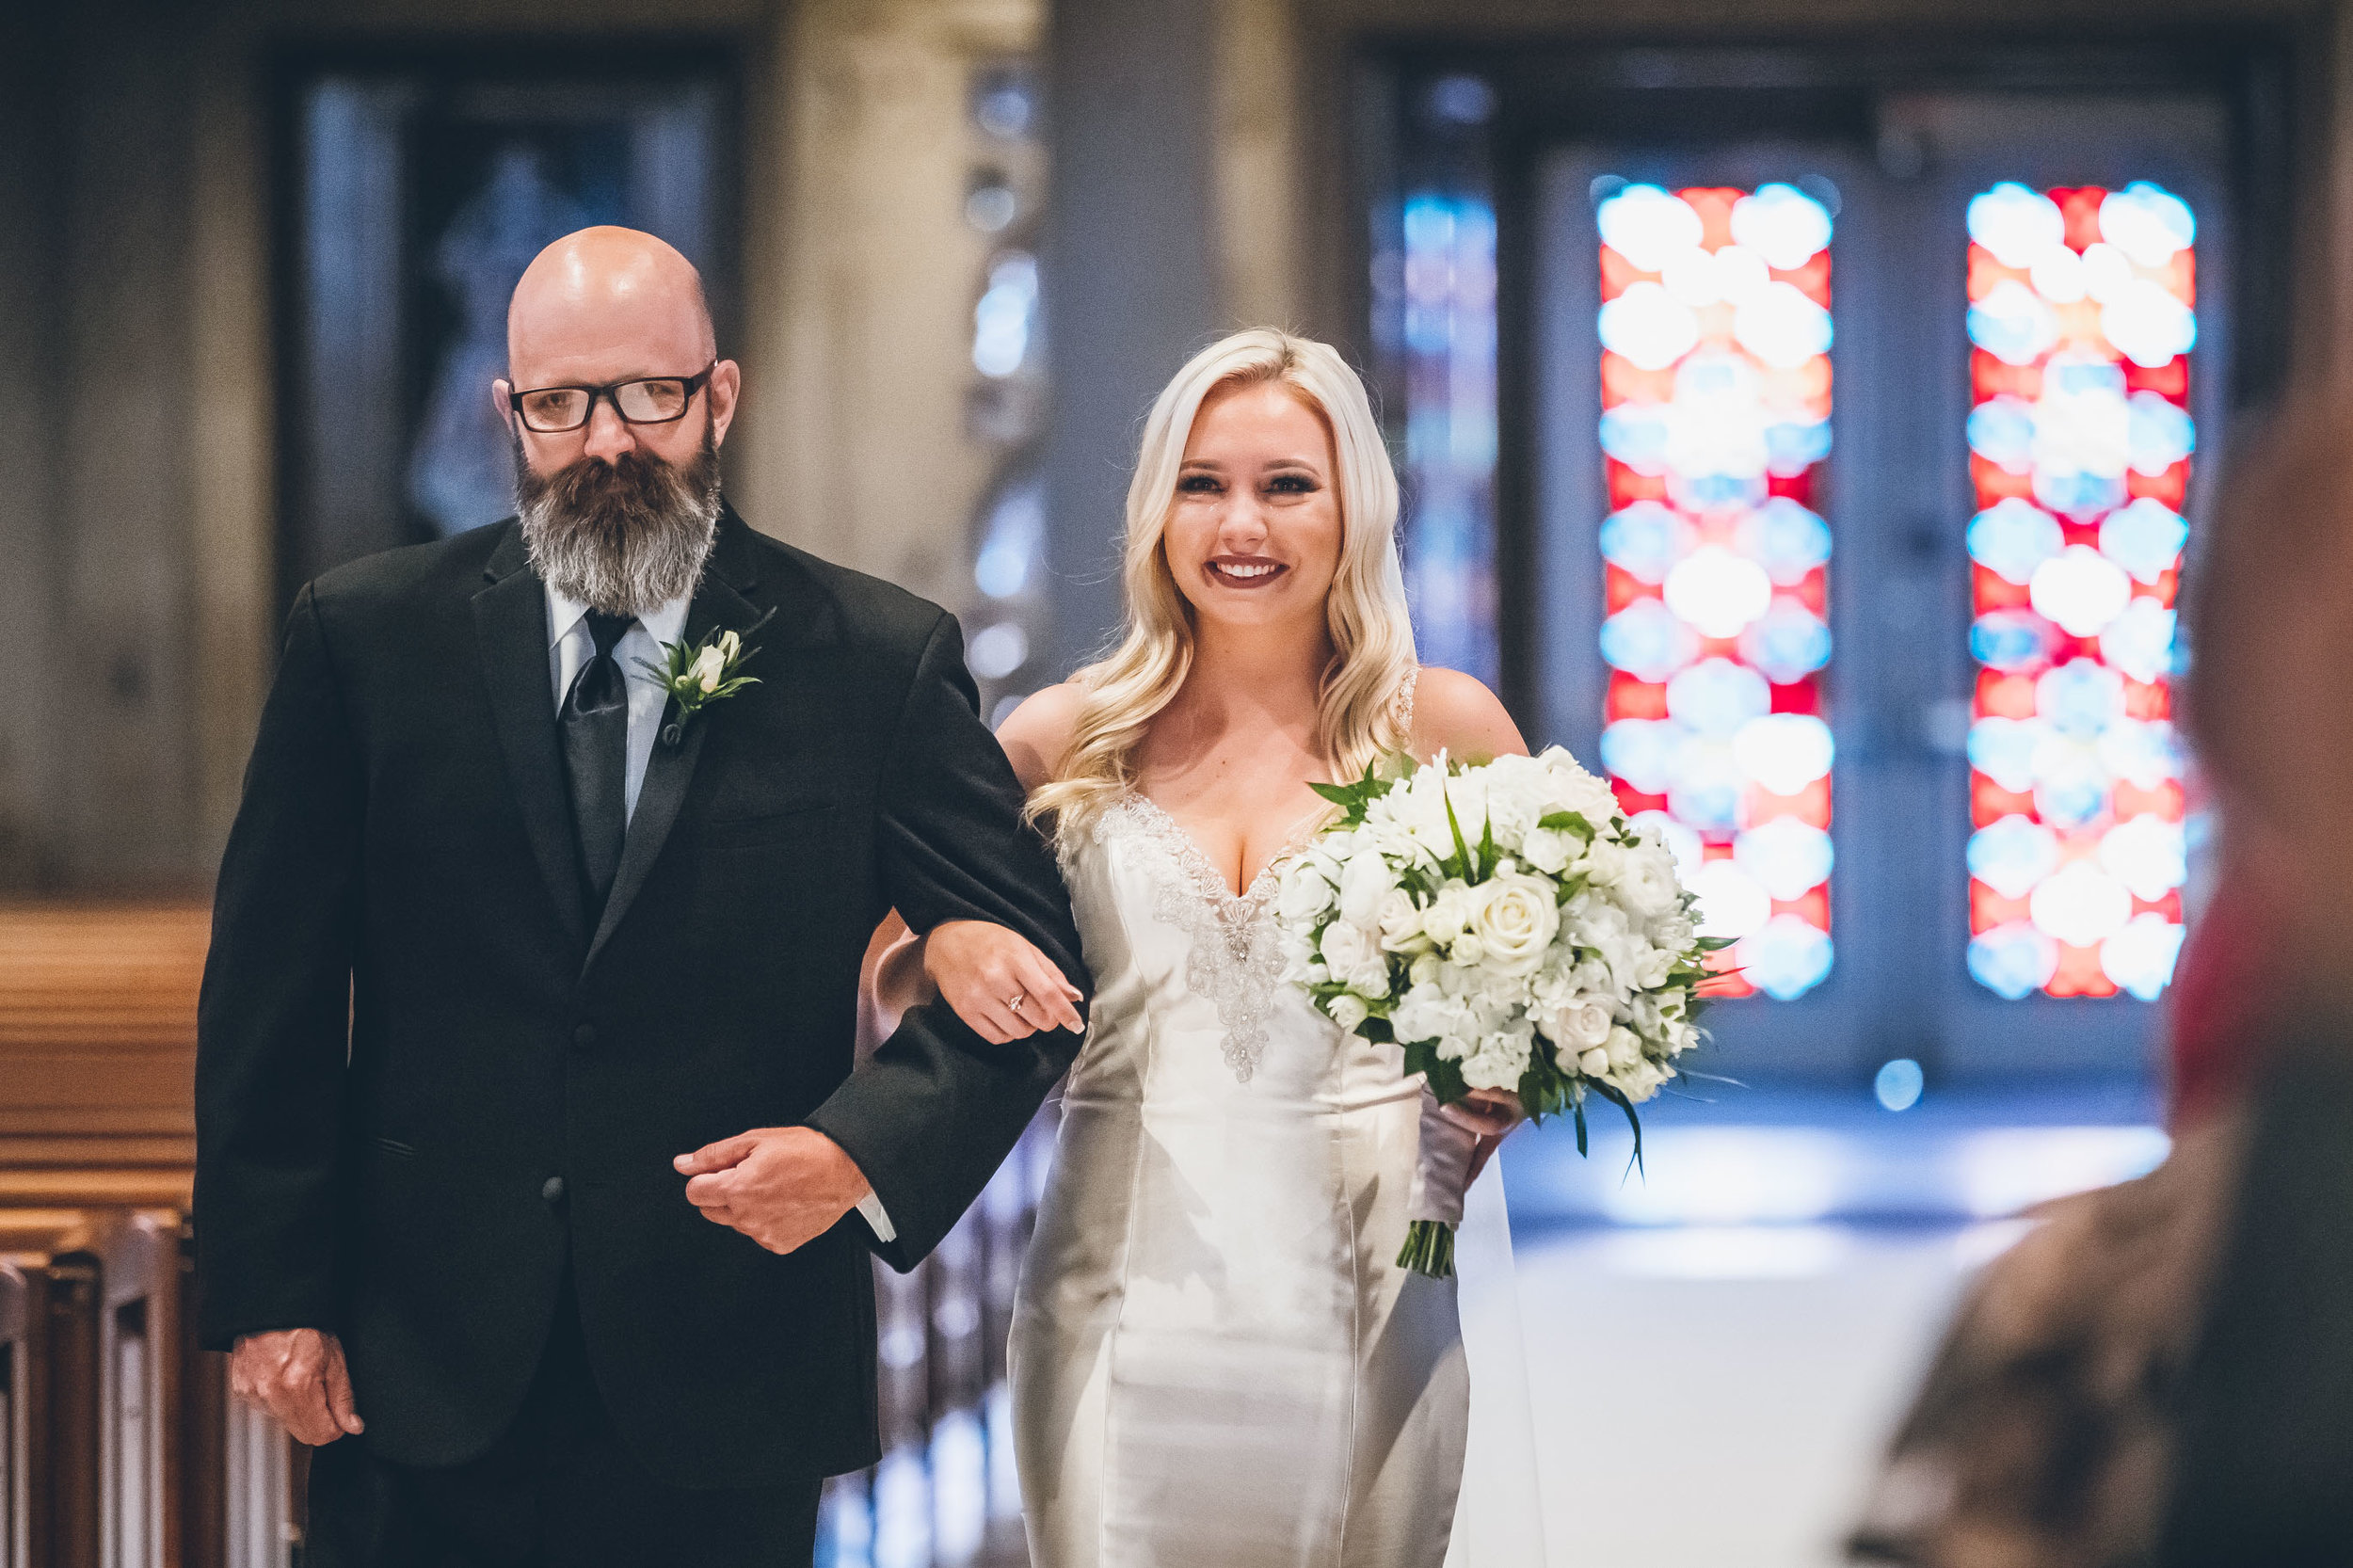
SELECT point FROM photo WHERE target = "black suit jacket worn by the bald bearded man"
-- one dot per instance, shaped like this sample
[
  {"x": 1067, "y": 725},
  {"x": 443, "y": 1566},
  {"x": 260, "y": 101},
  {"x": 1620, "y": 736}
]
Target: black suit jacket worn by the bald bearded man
[{"x": 411, "y": 1030}]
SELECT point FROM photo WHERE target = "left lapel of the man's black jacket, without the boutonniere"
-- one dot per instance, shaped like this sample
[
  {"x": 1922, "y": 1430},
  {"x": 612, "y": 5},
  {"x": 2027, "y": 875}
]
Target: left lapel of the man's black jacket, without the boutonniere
[{"x": 512, "y": 625}]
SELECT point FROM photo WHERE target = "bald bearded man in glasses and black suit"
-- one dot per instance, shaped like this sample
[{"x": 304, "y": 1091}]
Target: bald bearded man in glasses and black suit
[{"x": 535, "y": 1174}]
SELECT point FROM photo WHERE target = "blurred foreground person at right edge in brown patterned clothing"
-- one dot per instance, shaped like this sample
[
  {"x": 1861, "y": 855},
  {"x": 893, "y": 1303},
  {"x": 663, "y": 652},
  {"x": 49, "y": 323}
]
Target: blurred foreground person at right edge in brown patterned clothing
[{"x": 2164, "y": 1371}]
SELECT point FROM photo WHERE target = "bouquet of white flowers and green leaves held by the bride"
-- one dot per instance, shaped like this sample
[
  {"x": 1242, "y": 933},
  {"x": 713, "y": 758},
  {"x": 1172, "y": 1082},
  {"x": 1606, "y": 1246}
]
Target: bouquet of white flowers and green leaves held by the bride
[{"x": 1512, "y": 931}]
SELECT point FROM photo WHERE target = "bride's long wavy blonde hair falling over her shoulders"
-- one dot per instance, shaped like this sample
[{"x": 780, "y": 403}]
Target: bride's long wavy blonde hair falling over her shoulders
[{"x": 1373, "y": 642}]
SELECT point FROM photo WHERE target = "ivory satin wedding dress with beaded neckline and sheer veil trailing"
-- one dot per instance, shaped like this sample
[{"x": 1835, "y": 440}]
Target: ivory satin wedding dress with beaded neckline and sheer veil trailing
[{"x": 1215, "y": 1357}]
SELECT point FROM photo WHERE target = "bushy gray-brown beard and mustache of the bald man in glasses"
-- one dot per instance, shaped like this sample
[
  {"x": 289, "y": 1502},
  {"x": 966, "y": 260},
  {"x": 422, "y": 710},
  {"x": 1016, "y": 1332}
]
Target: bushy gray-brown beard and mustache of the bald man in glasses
[{"x": 625, "y": 538}]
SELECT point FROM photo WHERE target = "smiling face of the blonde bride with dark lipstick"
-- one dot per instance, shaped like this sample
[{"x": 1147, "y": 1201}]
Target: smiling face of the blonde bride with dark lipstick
[{"x": 1255, "y": 529}]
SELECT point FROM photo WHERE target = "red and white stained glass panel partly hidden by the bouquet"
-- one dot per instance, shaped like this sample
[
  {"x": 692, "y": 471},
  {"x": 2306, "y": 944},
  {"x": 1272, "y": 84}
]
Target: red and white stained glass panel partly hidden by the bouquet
[{"x": 1717, "y": 423}]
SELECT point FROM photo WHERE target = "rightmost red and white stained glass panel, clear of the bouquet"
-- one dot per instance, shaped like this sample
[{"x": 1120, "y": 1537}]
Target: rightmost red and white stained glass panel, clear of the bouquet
[{"x": 2081, "y": 326}]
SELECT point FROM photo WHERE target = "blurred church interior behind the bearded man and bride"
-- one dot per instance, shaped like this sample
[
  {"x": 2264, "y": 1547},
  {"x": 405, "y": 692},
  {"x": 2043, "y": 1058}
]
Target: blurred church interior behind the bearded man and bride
[{"x": 1858, "y": 580}]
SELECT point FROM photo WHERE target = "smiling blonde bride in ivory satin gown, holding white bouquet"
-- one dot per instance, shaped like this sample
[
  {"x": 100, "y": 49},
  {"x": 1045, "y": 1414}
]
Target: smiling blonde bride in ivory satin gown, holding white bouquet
[{"x": 1215, "y": 1357}]
